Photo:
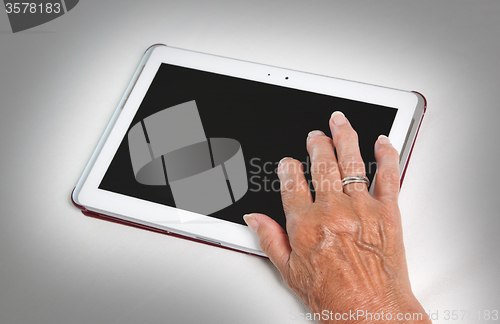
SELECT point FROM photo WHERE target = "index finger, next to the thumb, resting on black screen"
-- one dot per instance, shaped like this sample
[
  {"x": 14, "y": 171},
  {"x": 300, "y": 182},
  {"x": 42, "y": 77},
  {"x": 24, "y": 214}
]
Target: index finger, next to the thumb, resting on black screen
[{"x": 295, "y": 193}]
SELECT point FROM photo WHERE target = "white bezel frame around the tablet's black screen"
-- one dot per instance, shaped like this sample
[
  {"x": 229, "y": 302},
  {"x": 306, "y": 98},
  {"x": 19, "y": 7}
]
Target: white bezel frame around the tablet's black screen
[{"x": 191, "y": 224}]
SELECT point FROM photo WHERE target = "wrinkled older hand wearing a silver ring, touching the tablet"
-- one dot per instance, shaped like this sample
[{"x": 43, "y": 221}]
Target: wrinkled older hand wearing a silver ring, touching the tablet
[{"x": 344, "y": 251}]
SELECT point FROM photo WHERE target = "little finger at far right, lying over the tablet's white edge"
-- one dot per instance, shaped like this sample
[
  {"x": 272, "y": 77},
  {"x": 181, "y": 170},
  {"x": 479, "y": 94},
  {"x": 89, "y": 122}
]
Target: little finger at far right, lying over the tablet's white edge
[{"x": 387, "y": 177}]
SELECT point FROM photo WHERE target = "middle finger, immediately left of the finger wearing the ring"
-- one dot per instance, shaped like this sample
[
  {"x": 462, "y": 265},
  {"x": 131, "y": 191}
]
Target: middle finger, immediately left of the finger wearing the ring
[{"x": 324, "y": 169}]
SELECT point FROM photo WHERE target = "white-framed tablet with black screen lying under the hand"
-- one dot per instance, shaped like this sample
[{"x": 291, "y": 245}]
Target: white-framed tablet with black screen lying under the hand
[{"x": 195, "y": 141}]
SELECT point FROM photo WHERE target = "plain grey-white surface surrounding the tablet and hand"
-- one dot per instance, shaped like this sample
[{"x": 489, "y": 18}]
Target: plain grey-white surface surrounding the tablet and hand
[{"x": 61, "y": 81}]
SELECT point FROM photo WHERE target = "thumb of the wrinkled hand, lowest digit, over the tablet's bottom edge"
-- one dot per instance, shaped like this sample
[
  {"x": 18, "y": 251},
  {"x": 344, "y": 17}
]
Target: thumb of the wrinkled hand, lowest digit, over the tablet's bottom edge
[{"x": 272, "y": 239}]
